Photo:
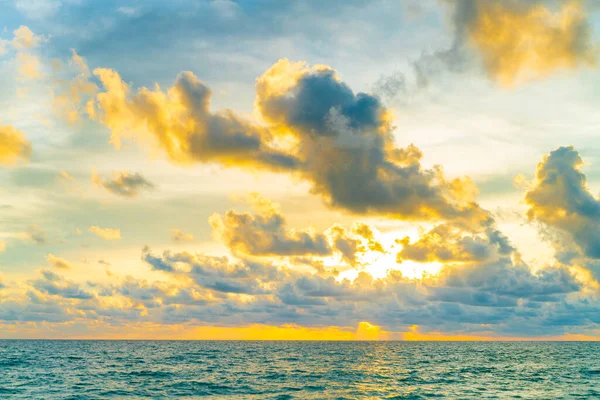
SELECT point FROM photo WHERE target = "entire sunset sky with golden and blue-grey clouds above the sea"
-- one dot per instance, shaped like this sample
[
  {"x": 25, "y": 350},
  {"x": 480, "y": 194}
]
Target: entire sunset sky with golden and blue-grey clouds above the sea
[{"x": 263, "y": 169}]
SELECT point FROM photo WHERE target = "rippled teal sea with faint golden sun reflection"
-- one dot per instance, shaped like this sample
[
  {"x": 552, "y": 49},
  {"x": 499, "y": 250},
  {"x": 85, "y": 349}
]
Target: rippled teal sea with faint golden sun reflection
[{"x": 257, "y": 370}]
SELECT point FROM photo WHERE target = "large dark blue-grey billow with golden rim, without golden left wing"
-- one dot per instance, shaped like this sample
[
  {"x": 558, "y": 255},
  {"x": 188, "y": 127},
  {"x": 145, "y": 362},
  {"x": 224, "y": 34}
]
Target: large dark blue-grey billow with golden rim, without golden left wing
[{"x": 347, "y": 150}]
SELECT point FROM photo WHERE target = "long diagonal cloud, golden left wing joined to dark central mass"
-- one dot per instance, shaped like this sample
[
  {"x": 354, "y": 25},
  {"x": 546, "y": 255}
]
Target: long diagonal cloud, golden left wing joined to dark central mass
[{"x": 316, "y": 128}]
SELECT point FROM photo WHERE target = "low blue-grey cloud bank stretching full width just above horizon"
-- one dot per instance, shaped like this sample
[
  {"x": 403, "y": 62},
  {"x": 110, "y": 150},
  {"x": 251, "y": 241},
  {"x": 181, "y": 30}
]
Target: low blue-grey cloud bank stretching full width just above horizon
[{"x": 505, "y": 297}]
